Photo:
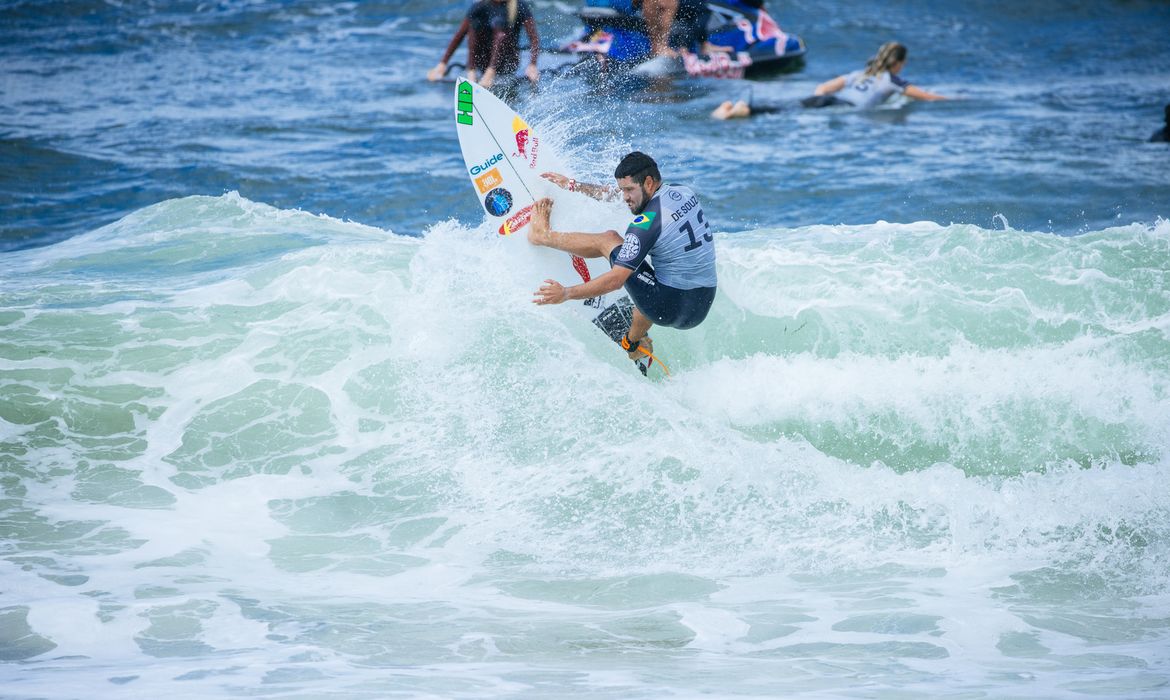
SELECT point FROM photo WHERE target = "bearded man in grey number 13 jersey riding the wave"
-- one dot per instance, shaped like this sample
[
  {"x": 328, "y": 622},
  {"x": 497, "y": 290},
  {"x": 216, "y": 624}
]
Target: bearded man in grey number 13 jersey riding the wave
[{"x": 669, "y": 231}]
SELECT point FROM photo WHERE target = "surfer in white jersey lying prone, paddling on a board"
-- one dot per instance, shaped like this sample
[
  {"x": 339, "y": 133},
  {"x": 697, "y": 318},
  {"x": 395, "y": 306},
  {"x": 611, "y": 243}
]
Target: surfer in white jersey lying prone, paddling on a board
[{"x": 865, "y": 90}]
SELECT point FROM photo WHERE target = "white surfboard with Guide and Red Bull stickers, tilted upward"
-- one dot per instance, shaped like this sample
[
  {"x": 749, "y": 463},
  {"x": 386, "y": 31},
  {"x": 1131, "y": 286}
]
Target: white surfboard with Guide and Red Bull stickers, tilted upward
[{"x": 505, "y": 159}]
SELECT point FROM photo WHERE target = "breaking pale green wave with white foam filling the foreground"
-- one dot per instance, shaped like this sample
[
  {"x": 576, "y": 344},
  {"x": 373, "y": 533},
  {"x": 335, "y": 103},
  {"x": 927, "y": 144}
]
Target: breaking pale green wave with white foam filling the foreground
[{"x": 346, "y": 455}]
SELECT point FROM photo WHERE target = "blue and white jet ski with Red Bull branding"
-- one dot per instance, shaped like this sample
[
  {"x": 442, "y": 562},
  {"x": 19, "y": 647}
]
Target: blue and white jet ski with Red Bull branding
[{"x": 745, "y": 43}]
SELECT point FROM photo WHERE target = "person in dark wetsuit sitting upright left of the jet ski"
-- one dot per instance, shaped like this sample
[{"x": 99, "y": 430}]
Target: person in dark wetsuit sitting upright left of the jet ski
[{"x": 492, "y": 29}]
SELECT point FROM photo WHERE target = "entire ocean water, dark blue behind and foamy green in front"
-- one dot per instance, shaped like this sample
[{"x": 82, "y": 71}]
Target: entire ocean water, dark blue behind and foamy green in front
[{"x": 277, "y": 418}]
